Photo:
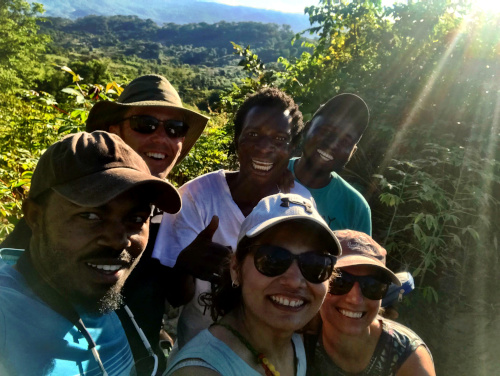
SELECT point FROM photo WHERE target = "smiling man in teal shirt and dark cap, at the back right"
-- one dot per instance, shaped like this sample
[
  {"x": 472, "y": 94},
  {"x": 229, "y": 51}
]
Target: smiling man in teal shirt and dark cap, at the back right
[{"x": 330, "y": 142}]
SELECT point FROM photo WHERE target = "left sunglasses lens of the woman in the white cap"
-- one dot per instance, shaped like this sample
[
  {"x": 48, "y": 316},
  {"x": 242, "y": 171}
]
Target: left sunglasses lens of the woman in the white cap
[{"x": 271, "y": 260}]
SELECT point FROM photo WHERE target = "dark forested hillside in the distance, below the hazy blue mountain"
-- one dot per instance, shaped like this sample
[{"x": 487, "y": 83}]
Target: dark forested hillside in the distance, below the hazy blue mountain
[{"x": 195, "y": 44}]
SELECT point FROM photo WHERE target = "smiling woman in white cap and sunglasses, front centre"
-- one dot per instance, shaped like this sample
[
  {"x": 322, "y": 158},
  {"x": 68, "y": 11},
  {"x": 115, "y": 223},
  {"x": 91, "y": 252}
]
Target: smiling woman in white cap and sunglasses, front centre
[{"x": 275, "y": 283}]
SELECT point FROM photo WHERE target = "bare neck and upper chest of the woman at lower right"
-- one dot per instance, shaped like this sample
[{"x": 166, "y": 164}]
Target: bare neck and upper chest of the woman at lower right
[{"x": 352, "y": 353}]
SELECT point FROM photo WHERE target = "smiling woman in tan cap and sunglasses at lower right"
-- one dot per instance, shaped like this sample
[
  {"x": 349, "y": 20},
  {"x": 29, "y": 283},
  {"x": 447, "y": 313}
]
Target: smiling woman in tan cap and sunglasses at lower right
[{"x": 354, "y": 340}]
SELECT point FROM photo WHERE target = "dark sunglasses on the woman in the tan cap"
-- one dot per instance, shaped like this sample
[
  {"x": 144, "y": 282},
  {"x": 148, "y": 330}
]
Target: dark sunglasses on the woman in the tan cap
[{"x": 371, "y": 287}]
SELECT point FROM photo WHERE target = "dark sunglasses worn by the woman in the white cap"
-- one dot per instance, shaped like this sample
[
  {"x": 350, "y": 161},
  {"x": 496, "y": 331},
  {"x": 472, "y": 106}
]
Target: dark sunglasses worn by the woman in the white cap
[{"x": 272, "y": 261}]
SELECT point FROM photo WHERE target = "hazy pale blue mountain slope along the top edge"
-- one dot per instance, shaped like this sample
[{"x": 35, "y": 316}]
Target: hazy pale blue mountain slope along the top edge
[{"x": 175, "y": 11}]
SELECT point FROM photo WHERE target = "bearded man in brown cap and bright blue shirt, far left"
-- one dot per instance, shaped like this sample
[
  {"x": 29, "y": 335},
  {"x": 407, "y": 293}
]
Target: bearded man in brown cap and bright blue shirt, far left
[{"x": 88, "y": 209}]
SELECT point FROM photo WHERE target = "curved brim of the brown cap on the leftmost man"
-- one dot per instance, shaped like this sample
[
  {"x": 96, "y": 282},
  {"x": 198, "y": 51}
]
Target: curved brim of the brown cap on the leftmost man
[{"x": 112, "y": 182}]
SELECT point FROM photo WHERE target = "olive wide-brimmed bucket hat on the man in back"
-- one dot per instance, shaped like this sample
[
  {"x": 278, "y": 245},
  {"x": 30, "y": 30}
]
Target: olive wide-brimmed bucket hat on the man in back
[{"x": 147, "y": 91}]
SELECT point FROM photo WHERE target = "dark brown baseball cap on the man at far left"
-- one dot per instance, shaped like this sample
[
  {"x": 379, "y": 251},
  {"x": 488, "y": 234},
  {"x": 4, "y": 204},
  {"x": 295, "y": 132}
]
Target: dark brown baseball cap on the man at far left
[{"x": 91, "y": 169}]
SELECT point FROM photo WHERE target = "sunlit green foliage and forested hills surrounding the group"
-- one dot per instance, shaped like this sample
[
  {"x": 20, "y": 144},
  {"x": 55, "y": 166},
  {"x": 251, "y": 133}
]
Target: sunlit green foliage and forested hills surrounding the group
[{"x": 428, "y": 163}]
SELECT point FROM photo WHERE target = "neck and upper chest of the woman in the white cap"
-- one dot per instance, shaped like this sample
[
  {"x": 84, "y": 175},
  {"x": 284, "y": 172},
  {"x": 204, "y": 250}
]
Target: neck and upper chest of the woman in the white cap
[{"x": 275, "y": 345}]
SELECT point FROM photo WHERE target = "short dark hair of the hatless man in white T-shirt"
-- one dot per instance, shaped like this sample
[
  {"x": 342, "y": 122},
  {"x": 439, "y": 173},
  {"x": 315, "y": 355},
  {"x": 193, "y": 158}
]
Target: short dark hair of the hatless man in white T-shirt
[{"x": 271, "y": 98}]
